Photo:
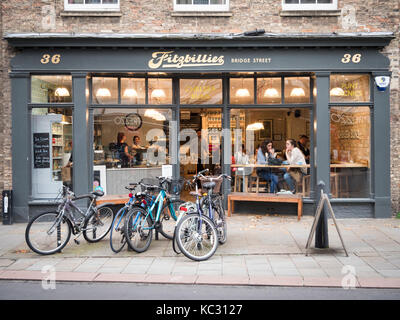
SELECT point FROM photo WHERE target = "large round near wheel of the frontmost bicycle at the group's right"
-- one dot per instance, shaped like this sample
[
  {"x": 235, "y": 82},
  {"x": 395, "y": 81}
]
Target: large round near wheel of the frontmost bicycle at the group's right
[{"x": 197, "y": 237}]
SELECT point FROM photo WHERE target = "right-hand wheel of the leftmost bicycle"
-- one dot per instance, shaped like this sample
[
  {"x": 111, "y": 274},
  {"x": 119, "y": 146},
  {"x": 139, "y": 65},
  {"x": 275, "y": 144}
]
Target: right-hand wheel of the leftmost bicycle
[{"x": 98, "y": 224}]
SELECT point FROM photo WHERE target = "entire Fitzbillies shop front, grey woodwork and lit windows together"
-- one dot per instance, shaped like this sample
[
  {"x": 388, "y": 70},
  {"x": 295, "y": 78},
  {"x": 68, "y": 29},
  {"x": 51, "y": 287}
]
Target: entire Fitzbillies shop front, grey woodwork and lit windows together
[{"x": 93, "y": 111}]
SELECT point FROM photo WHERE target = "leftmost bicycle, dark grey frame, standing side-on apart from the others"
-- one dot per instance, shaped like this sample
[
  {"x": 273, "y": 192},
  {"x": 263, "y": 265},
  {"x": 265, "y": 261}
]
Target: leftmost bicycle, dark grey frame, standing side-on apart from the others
[{"x": 49, "y": 232}]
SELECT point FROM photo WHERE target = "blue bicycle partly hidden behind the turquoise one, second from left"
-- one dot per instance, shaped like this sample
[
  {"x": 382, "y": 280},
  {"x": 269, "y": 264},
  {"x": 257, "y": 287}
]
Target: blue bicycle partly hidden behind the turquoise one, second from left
[{"x": 117, "y": 234}]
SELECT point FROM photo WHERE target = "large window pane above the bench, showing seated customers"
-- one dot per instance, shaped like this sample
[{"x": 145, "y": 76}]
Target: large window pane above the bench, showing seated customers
[{"x": 260, "y": 151}]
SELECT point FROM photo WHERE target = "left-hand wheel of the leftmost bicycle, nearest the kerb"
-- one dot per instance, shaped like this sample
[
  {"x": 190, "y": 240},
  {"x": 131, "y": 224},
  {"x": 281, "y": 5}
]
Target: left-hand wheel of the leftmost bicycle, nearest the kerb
[{"x": 48, "y": 233}]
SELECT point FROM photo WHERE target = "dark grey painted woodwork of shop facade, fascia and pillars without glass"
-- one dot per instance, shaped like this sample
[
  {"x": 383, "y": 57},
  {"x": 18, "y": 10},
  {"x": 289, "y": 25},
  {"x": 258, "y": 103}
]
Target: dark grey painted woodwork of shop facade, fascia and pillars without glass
[{"x": 180, "y": 56}]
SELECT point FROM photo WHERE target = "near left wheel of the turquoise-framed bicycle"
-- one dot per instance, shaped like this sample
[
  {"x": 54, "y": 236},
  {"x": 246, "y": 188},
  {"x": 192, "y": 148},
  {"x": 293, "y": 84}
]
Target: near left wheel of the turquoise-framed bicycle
[{"x": 138, "y": 229}]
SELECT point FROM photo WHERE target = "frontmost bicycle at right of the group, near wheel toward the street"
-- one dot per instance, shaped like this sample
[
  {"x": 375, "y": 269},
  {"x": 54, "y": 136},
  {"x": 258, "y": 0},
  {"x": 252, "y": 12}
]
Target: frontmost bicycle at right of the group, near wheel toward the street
[{"x": 196, "y": 234}]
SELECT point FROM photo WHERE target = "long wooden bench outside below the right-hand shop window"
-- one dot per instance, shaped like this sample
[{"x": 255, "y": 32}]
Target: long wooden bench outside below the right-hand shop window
[{"x": 266, "y": 197}]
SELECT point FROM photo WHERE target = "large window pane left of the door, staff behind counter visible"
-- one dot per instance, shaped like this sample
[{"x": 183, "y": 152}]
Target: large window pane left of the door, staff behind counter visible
[{"x": 129, "y": 145}]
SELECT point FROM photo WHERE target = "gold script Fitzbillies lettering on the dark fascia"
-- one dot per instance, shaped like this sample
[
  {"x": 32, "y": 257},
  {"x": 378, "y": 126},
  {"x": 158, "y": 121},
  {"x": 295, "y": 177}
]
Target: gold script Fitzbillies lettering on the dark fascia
[{"x": 167, "y": 59}]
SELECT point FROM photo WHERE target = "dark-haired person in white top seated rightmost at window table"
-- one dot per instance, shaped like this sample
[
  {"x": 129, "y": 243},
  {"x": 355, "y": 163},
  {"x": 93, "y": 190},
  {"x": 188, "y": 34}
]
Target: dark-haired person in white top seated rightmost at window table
[{"x": 294, "y": 157}]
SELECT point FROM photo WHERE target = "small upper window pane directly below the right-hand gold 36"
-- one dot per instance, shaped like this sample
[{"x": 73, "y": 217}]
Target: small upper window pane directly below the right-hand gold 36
[{"x": 349, "y": 88}]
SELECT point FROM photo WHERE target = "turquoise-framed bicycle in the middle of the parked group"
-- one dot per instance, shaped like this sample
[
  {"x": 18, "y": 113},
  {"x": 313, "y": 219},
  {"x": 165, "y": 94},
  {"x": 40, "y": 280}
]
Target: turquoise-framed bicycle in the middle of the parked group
[{"x": 140, "y": 222}]
